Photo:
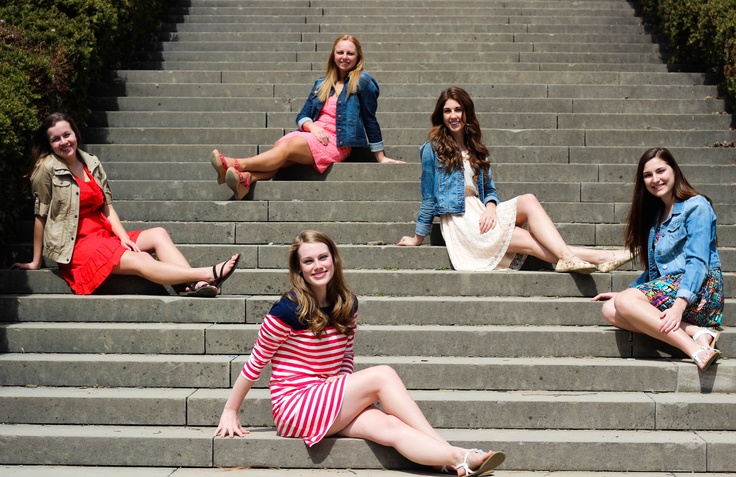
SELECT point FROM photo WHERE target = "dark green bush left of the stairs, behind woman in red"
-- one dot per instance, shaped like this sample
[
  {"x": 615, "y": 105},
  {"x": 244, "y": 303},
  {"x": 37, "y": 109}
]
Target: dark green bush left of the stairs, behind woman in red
[{"x": 51, "y": 54}]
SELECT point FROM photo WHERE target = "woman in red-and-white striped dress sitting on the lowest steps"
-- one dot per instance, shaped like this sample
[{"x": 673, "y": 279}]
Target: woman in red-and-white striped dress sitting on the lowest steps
[{"x": 308, "y": 337}]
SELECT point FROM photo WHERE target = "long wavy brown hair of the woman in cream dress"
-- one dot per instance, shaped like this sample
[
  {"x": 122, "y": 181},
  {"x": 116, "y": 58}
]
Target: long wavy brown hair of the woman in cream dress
[{"x": 448, "y": 151}]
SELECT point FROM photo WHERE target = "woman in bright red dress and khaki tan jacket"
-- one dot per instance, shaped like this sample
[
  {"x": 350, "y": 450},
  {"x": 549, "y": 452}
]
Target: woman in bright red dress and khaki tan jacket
[{"x": 77, "y": 226}]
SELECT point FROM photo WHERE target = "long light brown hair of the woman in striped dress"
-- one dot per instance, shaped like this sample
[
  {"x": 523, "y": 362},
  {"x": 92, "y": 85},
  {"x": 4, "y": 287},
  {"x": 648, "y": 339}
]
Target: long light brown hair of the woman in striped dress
[{"x": 341, "y": 298}]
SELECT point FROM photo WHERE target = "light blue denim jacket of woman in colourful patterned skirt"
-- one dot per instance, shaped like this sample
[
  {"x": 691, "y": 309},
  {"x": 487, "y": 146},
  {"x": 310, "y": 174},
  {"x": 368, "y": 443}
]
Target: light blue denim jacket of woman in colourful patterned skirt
[{"x": 687, "y": 245}]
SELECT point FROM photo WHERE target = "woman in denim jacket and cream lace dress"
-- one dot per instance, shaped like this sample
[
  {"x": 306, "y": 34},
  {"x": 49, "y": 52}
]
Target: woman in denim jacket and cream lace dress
[{"x": 481, "y": 232}]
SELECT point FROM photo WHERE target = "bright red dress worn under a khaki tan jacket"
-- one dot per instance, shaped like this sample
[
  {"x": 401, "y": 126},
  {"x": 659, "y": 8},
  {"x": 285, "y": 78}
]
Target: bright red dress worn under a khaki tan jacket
[{"x": 97, "y": 249}]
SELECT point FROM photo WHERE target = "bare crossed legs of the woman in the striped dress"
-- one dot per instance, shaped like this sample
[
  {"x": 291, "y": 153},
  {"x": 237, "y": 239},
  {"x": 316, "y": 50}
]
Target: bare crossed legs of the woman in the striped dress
[{"x": 403, "y": 425}]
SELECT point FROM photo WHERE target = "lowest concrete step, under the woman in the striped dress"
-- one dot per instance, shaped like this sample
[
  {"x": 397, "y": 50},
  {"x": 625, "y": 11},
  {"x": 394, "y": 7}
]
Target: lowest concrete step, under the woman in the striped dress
[{"x": 526, "y": 449}]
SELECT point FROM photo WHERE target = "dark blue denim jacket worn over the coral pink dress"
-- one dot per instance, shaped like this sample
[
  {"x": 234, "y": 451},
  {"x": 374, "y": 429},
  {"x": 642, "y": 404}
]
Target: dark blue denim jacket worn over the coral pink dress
[{"x": 356, "y": 114}]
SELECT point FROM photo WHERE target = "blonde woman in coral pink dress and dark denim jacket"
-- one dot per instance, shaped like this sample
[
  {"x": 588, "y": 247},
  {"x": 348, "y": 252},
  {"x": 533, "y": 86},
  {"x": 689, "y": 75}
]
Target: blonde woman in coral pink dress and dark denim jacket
[{"x": 338, "y": 114}]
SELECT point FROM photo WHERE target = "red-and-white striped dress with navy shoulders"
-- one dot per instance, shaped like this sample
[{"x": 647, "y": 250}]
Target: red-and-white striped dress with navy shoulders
[{"x": 304, "y": 405}]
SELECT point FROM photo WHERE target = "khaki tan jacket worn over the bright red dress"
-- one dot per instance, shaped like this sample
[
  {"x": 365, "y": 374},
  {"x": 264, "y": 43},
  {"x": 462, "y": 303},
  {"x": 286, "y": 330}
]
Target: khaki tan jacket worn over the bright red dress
[{"x": 56, "y": 197}]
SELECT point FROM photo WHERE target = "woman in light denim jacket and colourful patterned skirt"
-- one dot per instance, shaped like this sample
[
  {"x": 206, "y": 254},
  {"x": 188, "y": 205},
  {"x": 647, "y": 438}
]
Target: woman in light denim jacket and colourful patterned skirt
[{"x": 679, "y": 296}]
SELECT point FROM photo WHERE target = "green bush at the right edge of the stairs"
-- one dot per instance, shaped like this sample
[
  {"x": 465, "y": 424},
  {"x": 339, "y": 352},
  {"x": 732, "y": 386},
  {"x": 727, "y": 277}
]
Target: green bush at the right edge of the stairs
[{"x": 701, "y": 34}]
